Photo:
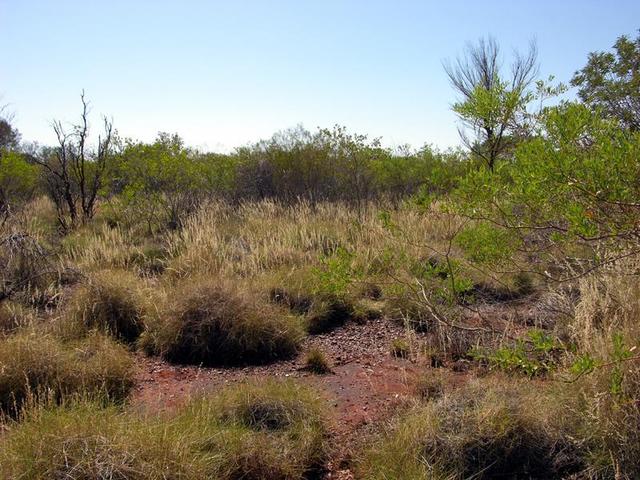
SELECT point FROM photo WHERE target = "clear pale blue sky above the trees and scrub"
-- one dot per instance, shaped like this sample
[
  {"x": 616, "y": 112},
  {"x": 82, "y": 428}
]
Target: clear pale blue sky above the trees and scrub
[{"x": 222, "y": 74}]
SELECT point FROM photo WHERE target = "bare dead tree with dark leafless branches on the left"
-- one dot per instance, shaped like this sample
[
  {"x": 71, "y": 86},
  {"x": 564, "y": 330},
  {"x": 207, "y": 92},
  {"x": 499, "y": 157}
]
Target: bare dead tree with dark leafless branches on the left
[{"x": 74, "y": 171}]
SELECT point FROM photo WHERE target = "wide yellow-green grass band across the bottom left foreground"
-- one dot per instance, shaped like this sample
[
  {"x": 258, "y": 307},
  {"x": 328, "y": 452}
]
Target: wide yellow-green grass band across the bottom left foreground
[{"x": 274, "y": 431}]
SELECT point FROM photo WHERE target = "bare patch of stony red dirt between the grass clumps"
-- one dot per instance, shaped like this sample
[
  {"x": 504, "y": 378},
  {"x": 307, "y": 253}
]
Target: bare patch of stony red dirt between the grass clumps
[{"x": 365, "y": 387}]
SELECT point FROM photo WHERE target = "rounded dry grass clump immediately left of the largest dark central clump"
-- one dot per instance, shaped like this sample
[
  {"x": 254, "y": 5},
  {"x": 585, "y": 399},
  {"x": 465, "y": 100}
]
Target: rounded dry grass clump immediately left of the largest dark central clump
[{"x": 112, "y": 302}]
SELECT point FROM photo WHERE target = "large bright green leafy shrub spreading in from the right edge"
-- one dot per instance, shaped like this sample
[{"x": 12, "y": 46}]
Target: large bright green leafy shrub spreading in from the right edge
[{"x": 572, "y": 191}]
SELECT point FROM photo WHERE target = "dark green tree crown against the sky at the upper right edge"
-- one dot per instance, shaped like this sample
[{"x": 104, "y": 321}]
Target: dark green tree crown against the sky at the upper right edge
[{"x": 611, "y": 82}]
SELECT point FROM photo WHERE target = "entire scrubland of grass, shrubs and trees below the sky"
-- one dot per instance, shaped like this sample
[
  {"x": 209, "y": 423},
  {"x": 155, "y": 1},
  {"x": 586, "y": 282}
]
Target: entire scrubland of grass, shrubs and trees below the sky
[{"x": 506, "y": 274}]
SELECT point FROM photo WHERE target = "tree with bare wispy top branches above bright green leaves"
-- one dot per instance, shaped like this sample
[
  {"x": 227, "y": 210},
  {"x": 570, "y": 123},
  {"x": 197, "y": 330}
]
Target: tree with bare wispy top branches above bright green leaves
[{"x": 491, "y": 100}]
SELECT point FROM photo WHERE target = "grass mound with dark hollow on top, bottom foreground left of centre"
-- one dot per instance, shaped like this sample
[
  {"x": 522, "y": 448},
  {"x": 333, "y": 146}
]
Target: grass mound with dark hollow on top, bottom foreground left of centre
[{"x": 275, "y": 430}]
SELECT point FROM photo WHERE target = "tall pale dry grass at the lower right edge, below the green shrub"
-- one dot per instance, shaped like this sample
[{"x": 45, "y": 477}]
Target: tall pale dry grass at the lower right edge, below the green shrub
[{"x": 606, "y": 328}]
